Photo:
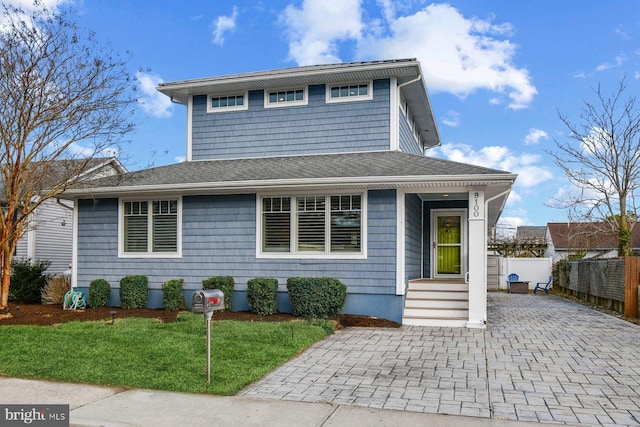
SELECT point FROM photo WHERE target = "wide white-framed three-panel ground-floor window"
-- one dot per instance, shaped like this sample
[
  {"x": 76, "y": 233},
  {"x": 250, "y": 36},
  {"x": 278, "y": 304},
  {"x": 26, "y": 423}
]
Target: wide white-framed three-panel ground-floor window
[{"x": 312, "y": 226}]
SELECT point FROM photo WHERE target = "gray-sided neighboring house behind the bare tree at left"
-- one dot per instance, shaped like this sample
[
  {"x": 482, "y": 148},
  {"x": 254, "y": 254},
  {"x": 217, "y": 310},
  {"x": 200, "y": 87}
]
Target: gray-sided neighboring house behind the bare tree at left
[{"x": 49, "y": 233}]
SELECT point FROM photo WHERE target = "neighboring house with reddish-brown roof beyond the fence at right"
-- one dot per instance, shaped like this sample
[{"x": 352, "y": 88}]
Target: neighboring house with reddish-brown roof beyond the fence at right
[{"x": 585, "y": 240}]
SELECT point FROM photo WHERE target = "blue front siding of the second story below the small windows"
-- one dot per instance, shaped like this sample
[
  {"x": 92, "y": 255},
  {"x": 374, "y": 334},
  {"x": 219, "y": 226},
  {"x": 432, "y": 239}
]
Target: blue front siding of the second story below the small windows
[{"x": 315, "y": 128}]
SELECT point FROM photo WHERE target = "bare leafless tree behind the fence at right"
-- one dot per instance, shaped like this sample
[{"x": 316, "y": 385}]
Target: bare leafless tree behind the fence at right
[{"x": 602, "y": 159}]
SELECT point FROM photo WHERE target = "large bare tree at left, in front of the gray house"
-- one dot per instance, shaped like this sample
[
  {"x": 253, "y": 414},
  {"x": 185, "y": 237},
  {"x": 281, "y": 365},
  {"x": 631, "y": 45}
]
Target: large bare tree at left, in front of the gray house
[{"x": 59, "y": 91}]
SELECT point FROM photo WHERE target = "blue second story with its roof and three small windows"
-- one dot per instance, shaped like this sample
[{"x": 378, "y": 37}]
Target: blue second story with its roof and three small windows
[{"x": 337, "y": 108}]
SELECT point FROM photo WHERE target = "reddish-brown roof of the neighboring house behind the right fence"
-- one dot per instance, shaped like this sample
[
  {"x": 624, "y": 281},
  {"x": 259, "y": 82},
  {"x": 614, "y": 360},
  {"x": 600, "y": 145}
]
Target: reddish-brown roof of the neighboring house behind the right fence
[{"x": 587, "y": 235}]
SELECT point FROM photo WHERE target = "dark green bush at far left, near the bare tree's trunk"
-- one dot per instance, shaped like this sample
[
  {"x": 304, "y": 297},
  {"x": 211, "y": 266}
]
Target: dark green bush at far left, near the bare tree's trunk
[{"x": 27, "y": 280}]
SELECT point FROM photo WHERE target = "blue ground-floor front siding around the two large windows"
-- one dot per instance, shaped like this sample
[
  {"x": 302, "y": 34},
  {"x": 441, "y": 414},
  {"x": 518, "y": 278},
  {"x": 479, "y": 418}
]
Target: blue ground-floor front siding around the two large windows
[{"x": 219, "y": 238}]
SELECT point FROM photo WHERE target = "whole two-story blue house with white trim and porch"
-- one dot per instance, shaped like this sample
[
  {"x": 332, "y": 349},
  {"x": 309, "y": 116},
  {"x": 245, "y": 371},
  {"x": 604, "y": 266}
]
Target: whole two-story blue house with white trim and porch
[{"x": 307, "y": 171}]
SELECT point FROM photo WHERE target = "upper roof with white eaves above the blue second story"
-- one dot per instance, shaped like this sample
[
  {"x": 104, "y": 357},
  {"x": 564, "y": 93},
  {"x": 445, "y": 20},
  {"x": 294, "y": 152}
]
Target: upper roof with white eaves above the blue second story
[{"x": 407, "y": 72}]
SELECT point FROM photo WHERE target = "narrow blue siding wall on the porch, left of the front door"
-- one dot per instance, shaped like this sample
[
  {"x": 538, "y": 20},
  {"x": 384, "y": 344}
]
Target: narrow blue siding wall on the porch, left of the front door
[{"x": 413, "y": 237}]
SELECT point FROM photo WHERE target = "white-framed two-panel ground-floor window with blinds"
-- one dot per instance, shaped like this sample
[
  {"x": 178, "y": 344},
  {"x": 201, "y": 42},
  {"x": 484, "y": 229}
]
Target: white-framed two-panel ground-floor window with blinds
[{"x": 150, "y": 228}]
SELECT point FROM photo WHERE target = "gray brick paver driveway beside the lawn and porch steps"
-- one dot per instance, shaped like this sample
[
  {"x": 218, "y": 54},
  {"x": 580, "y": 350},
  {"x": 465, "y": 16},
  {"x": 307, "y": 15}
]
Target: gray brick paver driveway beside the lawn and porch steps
[{"x": 541, "y": 358}]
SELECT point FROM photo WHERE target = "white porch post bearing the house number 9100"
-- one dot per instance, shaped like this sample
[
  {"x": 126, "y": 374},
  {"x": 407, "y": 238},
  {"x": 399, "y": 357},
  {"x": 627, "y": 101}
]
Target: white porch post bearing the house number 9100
[{"x": 477, "y": 260}]
